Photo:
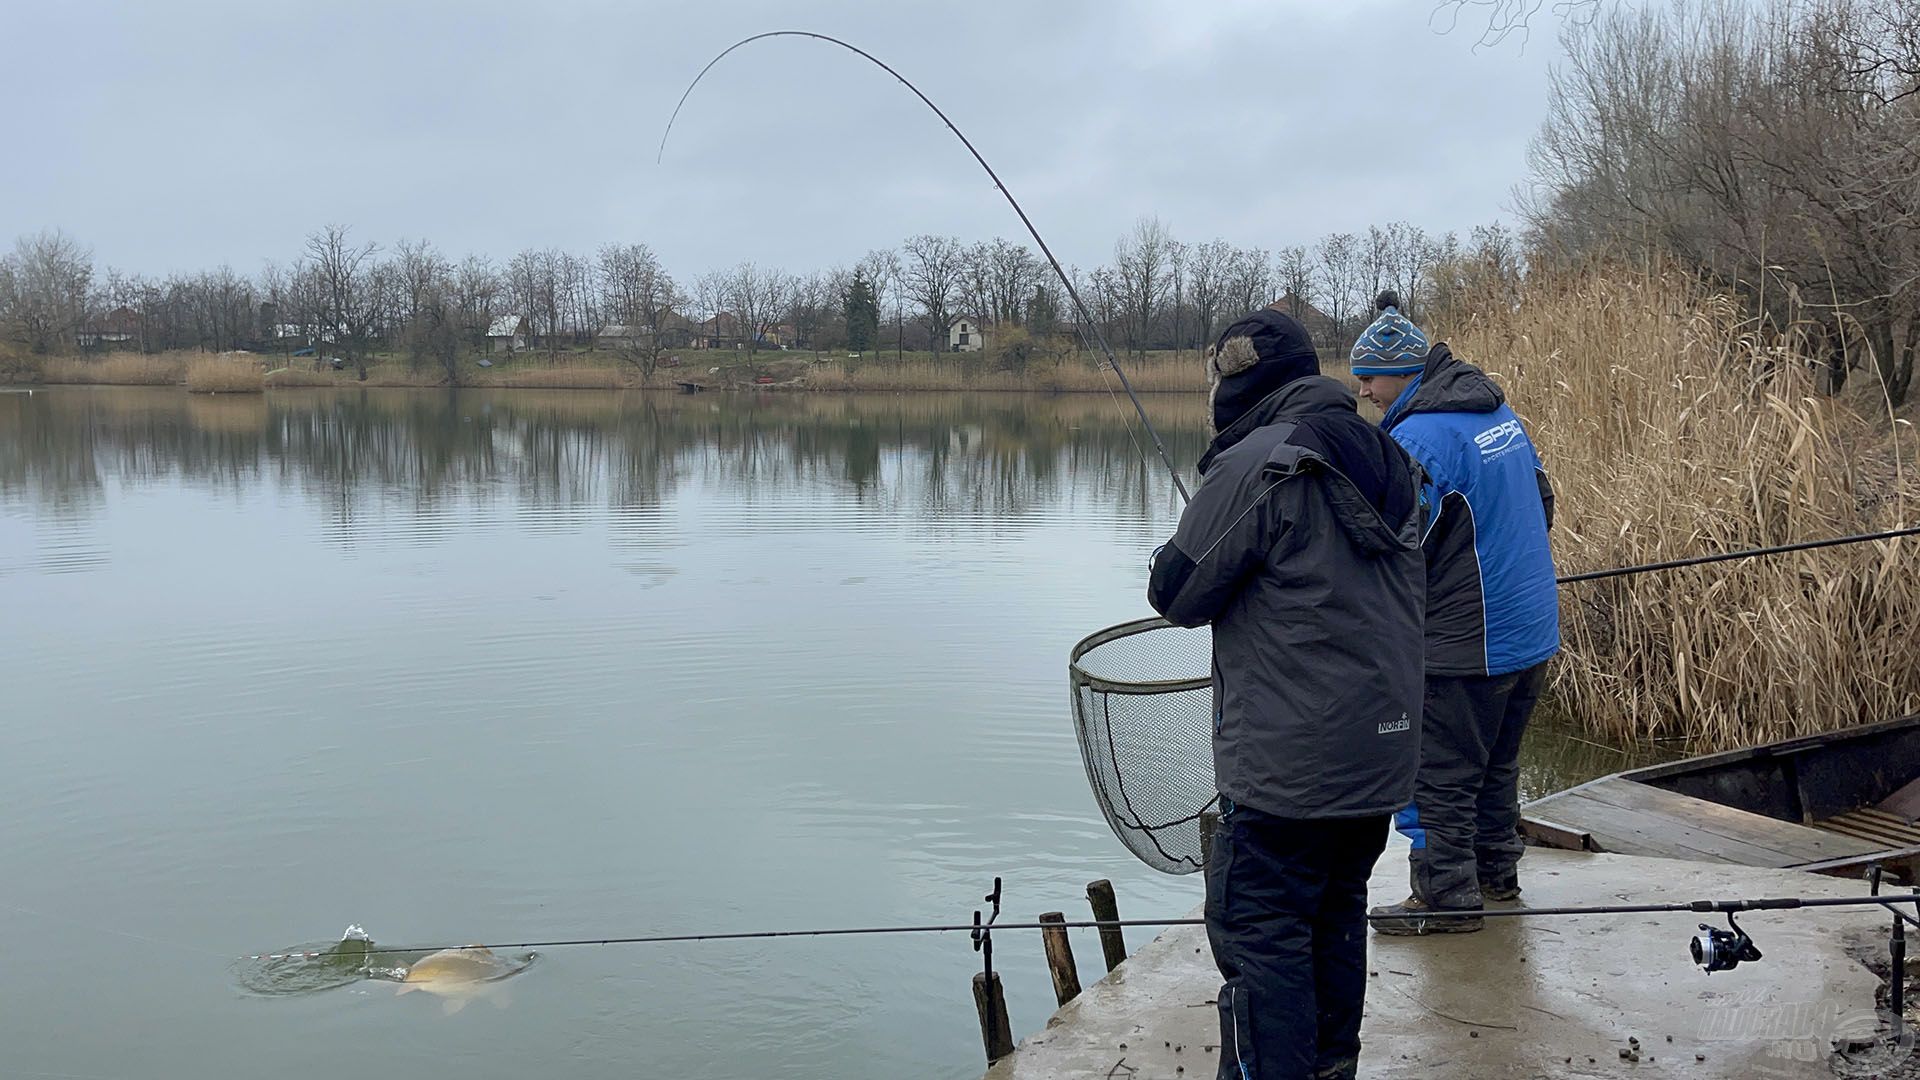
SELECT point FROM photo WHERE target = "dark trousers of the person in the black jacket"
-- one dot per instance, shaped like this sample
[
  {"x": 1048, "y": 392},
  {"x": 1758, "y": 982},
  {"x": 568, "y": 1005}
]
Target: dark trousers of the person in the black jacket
[{"x": 1287, "y": 916}]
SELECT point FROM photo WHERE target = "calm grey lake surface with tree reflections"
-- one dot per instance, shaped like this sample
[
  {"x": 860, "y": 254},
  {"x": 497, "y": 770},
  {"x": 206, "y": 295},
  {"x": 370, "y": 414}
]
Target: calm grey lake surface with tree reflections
[{"x": 519, "y": 666}]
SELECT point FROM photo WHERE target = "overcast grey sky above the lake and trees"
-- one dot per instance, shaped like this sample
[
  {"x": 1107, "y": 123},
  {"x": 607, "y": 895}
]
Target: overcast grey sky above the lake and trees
[{"x": 183, "y": 135}]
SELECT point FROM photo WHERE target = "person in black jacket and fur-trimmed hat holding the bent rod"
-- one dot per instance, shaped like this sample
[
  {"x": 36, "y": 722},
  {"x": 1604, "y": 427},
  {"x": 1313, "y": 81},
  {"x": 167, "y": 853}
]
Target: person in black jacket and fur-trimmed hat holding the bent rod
[{"x": 1303, "y": 551}]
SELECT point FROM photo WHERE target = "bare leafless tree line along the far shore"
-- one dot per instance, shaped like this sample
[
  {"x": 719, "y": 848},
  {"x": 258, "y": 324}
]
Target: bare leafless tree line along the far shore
[{"x": 350, "y": 301}]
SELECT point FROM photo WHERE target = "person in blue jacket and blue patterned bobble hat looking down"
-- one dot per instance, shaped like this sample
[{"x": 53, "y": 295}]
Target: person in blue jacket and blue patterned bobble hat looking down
[{"x": 1493, "y": 616}]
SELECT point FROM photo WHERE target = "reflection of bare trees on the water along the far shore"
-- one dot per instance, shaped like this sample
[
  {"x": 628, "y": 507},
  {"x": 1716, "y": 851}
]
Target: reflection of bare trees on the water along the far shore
[{"x": 372, "y": 454}]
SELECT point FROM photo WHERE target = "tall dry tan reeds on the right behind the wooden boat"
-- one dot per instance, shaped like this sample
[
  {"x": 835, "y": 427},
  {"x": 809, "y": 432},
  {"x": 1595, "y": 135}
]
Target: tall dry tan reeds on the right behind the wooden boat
[{"x": 1671, "y": 431}]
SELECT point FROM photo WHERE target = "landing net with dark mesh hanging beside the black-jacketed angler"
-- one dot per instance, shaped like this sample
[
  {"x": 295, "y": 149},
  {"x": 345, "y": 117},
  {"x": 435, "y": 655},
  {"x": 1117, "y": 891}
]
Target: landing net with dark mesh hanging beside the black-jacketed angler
[{"x": 1143, "y": 708}]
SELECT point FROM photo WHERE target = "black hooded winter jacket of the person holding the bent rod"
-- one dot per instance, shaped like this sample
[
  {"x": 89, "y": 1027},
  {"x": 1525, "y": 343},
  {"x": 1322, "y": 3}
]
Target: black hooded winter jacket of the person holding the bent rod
[{"x": 1303, "y": 551}]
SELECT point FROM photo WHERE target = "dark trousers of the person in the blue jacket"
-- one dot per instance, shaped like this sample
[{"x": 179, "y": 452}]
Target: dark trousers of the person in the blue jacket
[{"x": 1466, "y": 810}]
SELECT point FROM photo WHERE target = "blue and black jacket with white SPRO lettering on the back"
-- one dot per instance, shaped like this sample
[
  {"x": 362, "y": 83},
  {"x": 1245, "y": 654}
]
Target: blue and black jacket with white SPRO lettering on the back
[{"x": 1493, "y": 606}]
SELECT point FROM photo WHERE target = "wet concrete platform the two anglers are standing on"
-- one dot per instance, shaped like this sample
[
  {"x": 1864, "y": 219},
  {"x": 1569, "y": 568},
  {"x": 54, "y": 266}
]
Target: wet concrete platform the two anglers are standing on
[{"x": 1527, "y": 998}]
